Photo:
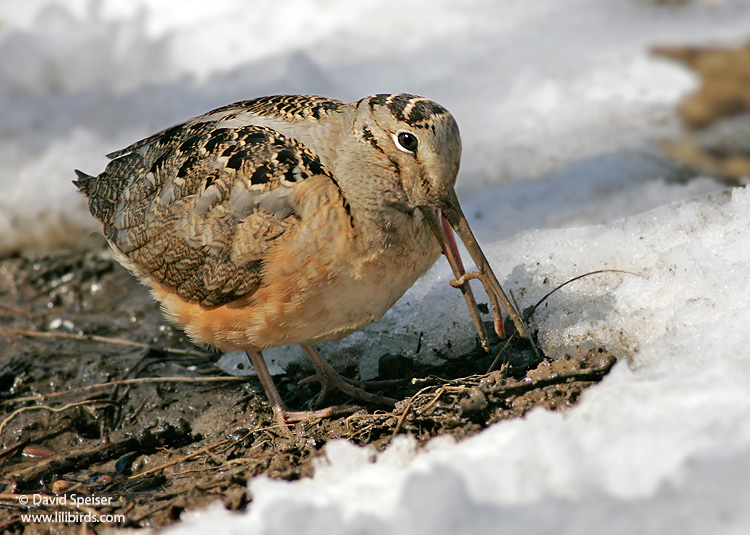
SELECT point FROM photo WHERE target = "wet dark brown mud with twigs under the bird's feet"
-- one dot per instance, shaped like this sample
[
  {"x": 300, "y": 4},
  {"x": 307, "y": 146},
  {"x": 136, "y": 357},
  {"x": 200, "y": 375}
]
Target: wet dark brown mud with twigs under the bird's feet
[{"x": 173, "y": 433}]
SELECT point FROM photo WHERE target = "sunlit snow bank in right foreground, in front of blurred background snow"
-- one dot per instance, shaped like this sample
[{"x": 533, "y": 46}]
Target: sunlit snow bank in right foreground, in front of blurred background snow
[{"x": 659, "y": 446}]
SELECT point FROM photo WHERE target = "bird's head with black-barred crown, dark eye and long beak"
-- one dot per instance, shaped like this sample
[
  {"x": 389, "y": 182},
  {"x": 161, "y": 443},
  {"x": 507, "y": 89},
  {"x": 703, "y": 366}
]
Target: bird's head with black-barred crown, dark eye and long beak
[{"x": 415, "y": 153}]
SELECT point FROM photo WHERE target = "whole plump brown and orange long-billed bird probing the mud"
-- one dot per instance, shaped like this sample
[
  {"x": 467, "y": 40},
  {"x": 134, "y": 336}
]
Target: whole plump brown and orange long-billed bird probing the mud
[{"x": 291, "y": 219}]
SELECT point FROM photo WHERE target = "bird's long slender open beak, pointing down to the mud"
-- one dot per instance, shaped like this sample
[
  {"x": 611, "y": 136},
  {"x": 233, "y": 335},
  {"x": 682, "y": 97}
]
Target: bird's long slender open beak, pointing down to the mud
[{"x": 444, "y": 220}]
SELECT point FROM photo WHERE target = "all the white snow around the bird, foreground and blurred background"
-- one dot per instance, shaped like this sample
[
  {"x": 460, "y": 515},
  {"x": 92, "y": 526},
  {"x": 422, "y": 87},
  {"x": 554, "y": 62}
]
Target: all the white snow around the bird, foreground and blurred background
[{"x": 560, "y": 106}]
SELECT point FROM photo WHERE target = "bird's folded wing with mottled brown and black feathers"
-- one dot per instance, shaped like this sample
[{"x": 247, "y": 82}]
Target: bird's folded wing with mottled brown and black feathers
[{"x": 197, "y": 206}]
